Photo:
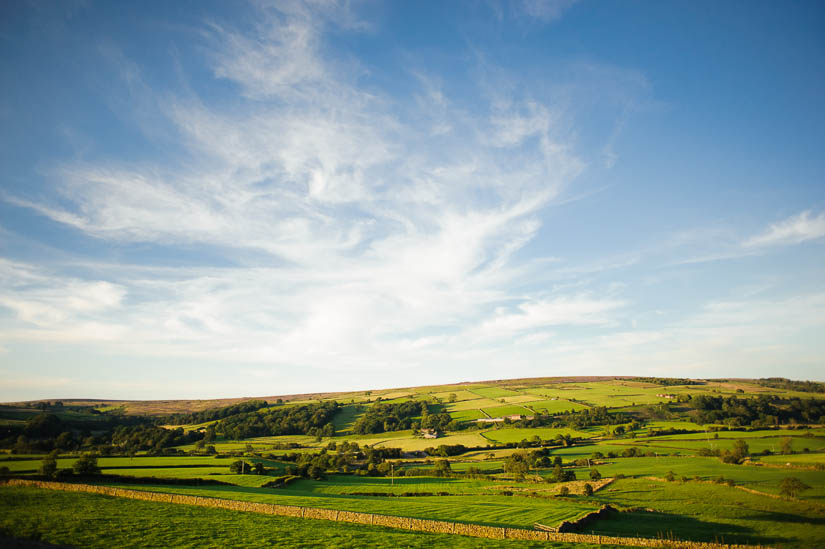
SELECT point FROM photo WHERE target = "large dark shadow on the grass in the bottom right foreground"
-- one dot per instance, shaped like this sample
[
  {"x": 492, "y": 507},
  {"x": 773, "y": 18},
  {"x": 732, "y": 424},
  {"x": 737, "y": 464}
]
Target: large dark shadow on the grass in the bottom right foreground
[{"x": 647, "y": 524}]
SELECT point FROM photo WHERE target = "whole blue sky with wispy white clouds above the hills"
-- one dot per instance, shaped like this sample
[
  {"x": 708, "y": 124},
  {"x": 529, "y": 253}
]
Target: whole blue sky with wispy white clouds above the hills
[{"x": 212, "y": 199}]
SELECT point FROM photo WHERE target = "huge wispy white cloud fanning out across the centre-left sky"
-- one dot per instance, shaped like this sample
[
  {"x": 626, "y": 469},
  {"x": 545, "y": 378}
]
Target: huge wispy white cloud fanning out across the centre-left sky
[{"x": 374, "y": 238}]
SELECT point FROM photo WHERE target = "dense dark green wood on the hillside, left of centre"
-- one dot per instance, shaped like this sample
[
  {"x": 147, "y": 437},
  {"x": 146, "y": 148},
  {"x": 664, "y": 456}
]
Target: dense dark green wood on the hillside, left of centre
[{"x": 309, "y": 419}]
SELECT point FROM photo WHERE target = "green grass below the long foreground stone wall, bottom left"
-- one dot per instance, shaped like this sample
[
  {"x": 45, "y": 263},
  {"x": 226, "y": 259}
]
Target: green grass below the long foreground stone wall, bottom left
[{"x": 90, "y": 520}]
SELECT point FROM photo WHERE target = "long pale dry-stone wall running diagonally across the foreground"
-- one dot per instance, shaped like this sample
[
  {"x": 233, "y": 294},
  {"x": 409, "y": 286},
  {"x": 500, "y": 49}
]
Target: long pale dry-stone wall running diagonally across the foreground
[{"x": 405, "y": 523}]
